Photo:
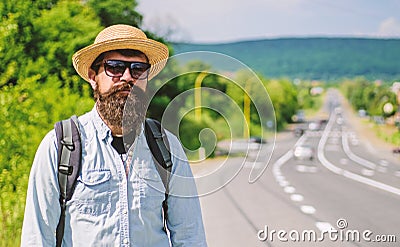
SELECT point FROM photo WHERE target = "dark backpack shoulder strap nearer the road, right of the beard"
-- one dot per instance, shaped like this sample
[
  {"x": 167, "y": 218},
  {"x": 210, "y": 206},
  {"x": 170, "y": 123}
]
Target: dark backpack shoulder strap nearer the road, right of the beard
[{"x": 159, "y": 147}]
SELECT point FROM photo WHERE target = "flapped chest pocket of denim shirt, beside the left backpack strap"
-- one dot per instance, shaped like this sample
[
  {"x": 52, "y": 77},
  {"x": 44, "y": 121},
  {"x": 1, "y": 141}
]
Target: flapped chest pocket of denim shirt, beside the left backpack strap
[{"x": 94, "y": 195}]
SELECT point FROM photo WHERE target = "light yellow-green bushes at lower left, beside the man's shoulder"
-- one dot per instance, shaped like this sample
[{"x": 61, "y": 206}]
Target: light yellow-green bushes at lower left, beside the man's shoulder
[{"x": 29, "y": 110}]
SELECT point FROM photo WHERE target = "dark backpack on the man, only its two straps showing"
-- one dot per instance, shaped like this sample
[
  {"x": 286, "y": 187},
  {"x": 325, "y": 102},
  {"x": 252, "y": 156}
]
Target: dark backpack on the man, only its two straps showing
[{"x": 70, "y": 158}]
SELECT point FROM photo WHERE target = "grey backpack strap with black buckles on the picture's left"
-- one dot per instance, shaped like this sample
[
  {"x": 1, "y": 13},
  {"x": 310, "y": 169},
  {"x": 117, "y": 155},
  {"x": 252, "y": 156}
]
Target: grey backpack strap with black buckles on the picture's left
[{"x": 69, "y": 163}]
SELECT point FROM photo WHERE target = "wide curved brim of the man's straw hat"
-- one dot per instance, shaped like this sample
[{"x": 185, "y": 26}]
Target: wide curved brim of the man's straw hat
[{"x": 156, "y": 52}]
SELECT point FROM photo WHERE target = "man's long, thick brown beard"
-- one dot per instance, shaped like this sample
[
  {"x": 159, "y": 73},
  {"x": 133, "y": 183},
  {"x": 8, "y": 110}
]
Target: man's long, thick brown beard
[{"x": 123, "y": 111}]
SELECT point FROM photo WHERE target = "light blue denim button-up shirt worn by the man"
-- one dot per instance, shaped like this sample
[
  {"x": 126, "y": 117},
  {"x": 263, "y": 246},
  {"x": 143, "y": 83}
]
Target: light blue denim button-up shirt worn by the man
[{"x": 110, "y": 207}]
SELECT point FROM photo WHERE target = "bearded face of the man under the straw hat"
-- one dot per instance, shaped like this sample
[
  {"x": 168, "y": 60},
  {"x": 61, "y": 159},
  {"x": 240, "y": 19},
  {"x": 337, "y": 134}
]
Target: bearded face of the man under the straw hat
[{"x": 112, "y": 93}]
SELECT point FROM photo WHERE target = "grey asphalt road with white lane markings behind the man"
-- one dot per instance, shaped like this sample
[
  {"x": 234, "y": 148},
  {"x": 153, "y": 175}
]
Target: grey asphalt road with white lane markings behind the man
[{"x": 349, "y": 195}]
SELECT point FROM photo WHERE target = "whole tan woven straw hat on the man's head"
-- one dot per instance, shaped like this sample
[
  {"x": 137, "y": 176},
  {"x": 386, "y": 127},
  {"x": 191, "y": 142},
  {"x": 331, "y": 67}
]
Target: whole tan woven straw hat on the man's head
[{"x": 121, "y": 37}]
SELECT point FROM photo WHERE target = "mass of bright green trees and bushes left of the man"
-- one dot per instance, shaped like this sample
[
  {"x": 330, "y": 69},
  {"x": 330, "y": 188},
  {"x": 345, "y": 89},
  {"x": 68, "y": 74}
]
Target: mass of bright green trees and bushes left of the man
[{"x": 38, "y": 87}]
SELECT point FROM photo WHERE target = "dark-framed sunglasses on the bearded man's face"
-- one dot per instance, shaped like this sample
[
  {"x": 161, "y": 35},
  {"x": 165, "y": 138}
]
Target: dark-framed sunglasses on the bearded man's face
[{"x": 116, "y": 68}]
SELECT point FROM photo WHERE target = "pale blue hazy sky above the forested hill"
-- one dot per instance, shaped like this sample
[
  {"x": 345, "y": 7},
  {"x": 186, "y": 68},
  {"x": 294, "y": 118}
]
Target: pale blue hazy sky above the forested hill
[{"x": 222, "y": 21}]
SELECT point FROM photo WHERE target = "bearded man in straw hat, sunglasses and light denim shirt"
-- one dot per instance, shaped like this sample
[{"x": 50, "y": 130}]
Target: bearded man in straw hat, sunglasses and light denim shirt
[{"x": 118, "y": 196}]
